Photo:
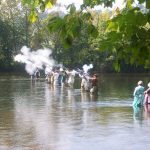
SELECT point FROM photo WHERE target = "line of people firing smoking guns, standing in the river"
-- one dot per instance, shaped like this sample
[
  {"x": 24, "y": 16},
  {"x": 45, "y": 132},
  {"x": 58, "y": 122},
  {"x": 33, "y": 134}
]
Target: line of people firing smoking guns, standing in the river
[{"x": 66, "y": 78}]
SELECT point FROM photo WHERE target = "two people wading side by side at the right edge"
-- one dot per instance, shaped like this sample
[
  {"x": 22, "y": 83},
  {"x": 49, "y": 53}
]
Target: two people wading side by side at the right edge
[{"x": 141, "y": 96}]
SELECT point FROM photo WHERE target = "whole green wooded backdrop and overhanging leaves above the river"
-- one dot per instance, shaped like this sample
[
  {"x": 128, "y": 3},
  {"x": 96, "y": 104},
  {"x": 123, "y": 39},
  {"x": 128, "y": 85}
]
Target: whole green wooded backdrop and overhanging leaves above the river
[{"x": 112, "y": 40}]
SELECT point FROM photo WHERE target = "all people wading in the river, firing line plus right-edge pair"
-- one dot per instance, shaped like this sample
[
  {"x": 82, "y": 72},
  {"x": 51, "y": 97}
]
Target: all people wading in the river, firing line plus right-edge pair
[{"x": 66, "y": 78}]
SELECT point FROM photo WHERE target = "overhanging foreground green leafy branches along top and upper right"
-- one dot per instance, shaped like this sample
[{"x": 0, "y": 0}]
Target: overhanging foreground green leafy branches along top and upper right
[{"x": 125, "y": 32}]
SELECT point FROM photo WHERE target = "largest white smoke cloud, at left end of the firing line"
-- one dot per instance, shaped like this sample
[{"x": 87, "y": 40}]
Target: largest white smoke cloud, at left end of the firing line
[{"x": 35, "y": 59}]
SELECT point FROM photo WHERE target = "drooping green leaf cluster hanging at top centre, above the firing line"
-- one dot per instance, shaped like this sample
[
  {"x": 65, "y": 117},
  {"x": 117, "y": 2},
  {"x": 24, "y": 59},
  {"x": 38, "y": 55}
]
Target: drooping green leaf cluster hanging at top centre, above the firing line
[{"x": 71, "y": 26}]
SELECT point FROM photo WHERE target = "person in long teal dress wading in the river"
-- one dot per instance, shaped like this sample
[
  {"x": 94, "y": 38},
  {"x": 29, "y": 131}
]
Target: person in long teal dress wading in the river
[{"x": 138, "y": 94}]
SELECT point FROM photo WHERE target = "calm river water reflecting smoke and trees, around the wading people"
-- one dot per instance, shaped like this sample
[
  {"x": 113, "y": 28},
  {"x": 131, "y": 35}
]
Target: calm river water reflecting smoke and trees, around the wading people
[{"x": 37, "y": 116}]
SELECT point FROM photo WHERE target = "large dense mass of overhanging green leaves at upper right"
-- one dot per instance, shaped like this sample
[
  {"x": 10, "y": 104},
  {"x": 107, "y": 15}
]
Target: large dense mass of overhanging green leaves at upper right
[{"x": 128, "y": 38}]
